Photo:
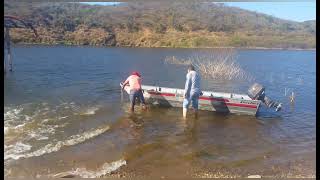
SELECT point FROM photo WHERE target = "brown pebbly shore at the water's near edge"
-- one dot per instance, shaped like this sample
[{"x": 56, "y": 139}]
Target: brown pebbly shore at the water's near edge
[{"x": 287, "y": 170}]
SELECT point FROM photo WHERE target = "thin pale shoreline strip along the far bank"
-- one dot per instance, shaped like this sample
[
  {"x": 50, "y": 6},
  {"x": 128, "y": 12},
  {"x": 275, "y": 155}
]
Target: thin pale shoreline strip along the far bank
[{"x": 220, "y": 47}]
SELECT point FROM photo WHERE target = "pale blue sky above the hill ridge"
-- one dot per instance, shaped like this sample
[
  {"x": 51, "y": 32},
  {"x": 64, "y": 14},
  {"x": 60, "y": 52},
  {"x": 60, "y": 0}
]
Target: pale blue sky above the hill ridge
[{"x": 294, "y": 10}]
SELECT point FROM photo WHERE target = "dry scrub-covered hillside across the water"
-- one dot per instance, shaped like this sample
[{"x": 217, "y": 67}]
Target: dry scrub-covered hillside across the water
[{"x": 158, "y": 24}]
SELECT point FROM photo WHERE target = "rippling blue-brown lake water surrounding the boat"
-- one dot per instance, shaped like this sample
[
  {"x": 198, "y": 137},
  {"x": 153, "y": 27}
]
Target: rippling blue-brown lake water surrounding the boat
[{"x": 62, "y": 113}]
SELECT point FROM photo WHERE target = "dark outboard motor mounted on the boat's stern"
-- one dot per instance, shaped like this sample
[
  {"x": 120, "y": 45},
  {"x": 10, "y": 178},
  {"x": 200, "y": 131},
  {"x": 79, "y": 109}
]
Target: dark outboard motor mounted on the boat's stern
[{"x": 256, "y": 92}]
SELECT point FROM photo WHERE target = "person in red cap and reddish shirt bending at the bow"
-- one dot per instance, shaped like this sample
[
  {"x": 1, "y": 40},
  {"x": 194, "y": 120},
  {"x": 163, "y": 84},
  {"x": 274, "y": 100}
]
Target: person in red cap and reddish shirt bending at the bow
[{"x": 134, "y": 82}]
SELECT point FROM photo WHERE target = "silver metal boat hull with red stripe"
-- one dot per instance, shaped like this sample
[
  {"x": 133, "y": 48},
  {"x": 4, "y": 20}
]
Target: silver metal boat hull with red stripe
[{"x": 209, "y": 101}]
